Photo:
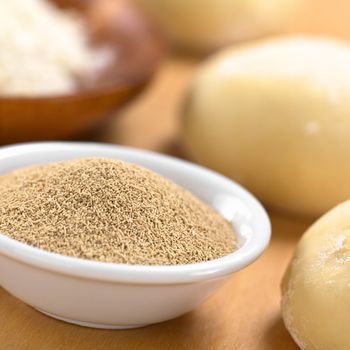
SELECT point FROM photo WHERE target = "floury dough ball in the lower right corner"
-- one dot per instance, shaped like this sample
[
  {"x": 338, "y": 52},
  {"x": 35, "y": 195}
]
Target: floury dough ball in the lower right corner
[{"x": 316, "y": 286}]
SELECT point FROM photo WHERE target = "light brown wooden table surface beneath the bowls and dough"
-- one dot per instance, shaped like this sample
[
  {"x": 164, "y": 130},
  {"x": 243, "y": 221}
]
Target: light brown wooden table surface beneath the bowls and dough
[{"x": 245, "y": 313}]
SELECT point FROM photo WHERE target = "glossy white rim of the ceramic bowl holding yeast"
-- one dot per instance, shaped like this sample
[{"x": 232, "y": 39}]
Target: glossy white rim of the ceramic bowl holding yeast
[{"x": 139, "y": 274}]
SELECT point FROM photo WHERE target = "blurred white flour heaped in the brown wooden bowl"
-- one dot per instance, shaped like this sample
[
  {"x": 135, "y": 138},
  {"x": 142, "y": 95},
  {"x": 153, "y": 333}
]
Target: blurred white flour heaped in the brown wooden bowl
[{"x": 44, "y": 49}]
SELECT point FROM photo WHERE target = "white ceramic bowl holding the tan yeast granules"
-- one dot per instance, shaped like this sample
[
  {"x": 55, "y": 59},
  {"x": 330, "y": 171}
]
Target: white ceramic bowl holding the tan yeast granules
[{"x": 106, "y": 295}]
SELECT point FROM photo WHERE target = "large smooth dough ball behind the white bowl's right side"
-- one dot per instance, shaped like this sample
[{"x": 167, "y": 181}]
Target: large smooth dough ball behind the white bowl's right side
[{"x": 275, "y": 116}]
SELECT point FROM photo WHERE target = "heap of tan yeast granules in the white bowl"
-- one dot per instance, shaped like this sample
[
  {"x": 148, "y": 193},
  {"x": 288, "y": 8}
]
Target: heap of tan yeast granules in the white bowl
[{"x": 110, "y": 211}]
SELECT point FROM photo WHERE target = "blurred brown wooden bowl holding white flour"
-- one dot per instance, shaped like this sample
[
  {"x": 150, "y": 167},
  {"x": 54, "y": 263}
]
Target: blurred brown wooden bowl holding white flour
[{"x": 137, "y": 50}]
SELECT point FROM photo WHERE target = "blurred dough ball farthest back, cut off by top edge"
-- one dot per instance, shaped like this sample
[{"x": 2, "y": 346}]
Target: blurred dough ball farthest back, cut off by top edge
[{"x": 203, "y": 25}]
